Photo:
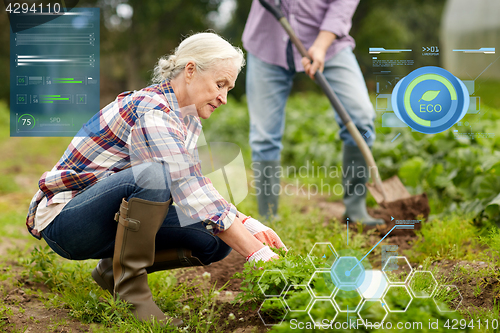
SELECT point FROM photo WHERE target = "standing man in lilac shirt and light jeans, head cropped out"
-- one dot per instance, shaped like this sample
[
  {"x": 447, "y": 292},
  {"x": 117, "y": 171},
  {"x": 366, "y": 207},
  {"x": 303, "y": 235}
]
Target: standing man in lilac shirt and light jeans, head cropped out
[{"x": 323, "y": 27}]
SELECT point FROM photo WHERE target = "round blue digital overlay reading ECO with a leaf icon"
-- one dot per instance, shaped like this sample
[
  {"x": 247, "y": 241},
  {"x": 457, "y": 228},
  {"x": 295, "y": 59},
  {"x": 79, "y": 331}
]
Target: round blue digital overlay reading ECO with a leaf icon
[{"x": 390, "y": 66}]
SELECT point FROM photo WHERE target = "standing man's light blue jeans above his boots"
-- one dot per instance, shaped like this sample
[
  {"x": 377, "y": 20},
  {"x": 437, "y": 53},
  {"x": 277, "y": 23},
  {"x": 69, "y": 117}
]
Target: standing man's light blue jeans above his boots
[{"x": 268, "y": 87}]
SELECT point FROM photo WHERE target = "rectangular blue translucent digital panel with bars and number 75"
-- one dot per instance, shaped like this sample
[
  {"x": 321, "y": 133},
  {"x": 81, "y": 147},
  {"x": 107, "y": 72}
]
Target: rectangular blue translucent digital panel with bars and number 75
[{"x": 54, "y": 70}]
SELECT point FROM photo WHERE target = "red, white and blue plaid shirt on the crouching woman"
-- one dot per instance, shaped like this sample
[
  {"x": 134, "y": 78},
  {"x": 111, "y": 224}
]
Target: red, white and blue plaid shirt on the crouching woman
[{"x": 141, "y": 126}]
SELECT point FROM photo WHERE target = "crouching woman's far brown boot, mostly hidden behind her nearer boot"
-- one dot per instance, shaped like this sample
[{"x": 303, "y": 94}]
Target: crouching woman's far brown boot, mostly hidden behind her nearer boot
[{"x": 164, "y": 261}]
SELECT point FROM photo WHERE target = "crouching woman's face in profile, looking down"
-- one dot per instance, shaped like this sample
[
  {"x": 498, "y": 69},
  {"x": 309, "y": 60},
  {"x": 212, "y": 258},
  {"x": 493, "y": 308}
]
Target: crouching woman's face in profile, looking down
[{"x": 208, "y": 90}]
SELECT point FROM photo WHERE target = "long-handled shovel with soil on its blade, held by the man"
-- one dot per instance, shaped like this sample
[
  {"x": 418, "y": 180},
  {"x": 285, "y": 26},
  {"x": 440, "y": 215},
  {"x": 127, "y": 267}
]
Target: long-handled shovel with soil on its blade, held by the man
[{"x": 390, "y": 194}]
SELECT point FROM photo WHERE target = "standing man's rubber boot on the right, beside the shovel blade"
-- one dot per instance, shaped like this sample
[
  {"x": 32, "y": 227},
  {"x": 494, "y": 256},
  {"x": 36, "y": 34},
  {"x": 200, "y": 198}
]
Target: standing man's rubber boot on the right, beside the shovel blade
[{"x": 355, "y": 175}]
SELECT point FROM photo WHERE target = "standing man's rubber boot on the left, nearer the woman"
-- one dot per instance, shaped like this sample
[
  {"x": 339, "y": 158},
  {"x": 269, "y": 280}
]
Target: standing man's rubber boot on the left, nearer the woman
[{"x": 267, "y": 188}]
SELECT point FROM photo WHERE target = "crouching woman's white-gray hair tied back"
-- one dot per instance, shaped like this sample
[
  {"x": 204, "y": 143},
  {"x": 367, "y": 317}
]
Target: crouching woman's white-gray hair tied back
[{"x": 205, "y": 49}]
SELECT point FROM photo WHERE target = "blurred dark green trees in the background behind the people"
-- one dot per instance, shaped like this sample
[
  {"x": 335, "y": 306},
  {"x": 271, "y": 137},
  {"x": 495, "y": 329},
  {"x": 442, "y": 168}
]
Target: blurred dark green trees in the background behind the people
[{"x": 130, "y": 48}]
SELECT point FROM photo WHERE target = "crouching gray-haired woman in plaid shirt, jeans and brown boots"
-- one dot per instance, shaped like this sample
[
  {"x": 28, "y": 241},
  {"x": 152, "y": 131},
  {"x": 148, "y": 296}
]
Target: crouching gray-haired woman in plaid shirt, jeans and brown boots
[{"x": 110, "y": 195}]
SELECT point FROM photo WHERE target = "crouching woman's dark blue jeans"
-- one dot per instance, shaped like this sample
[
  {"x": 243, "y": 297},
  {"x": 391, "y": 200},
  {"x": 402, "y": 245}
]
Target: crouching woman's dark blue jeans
[{"x": 85, "y": 228}]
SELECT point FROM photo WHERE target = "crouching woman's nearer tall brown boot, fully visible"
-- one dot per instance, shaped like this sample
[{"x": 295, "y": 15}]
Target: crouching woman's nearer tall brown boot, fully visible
[{"x": 138, "y": 222}]
